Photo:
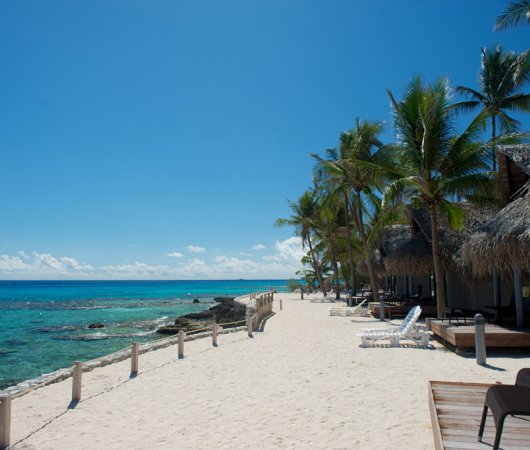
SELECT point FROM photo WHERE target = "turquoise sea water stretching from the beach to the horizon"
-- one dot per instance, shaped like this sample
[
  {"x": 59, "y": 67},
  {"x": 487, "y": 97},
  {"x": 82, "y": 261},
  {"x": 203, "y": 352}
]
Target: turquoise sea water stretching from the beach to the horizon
[{"x": 44, "y": 324}]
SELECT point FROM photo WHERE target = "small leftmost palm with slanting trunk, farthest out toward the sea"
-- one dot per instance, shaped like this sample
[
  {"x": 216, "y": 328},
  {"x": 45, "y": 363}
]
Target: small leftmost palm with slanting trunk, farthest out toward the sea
[{"x": 303, "y": 219}]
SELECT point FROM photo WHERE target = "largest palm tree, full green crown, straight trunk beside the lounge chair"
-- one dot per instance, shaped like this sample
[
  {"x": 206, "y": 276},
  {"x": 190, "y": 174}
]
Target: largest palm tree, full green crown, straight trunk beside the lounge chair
[{"x": 436, "y": 167}]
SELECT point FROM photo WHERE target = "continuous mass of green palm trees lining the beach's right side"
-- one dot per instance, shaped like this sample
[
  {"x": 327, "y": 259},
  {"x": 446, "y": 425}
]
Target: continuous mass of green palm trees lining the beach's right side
[{"x": 436, "y": 163}]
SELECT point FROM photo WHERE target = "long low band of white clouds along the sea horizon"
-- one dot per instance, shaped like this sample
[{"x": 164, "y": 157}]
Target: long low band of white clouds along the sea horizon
[{"x": 283, "y": 263}]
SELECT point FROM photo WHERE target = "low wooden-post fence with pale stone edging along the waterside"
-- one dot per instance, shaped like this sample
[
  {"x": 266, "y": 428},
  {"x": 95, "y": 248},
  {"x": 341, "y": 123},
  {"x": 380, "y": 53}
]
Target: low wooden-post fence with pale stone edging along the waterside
[{"x": 258, "y": 308}]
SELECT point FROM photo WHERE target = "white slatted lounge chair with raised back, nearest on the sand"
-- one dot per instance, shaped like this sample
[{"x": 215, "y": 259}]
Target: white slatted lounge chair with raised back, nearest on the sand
[{"x": 407, "y": 330}]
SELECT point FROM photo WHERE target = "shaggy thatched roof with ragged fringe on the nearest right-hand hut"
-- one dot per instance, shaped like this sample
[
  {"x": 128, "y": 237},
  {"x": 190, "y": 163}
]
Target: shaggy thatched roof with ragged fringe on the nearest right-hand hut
[{"x": 504, "y": 240}]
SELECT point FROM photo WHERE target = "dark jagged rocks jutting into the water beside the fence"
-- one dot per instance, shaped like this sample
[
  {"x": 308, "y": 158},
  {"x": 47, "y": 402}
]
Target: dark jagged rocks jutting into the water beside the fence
[{"x": 225, "y": 312}]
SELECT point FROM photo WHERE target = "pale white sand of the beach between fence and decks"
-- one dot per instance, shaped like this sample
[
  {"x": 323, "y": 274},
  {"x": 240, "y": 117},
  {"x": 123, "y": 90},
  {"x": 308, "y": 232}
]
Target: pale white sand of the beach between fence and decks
[{"x": 304, "y": 382}]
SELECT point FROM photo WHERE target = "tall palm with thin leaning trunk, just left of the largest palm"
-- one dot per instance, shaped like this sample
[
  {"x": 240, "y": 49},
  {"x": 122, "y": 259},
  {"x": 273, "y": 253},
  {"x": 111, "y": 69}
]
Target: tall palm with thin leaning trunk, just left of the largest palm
[{"x": 359, "y": 145}]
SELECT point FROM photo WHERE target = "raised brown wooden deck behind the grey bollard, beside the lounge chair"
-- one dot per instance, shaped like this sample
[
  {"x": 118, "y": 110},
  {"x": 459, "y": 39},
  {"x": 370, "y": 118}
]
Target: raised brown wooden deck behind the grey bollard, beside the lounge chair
[{"x": 463, "y": 336}]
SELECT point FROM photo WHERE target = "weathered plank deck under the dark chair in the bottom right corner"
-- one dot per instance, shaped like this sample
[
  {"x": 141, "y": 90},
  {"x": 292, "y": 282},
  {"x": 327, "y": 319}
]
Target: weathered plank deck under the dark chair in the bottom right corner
[{"x": 456, "y": 410}]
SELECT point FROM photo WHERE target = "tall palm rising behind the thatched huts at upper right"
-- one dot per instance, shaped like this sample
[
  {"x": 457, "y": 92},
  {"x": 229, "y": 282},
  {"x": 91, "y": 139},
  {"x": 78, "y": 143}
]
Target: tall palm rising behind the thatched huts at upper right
[{"x": 500, "y": 81}]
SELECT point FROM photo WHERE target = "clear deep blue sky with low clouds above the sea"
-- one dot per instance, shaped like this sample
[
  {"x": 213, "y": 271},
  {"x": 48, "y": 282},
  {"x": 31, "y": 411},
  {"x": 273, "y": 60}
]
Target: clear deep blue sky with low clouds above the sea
[{"x": 162, "y": 139}]
